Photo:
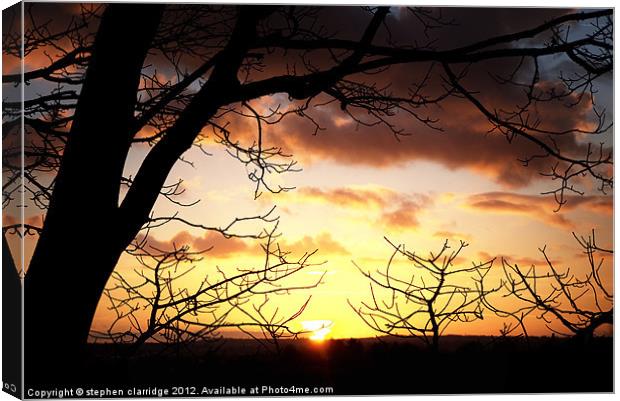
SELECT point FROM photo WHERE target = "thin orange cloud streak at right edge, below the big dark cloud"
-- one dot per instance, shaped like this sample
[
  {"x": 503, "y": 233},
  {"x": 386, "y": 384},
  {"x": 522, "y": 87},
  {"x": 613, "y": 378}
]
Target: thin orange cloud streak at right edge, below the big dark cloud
[{"x": 539, "y": 207}]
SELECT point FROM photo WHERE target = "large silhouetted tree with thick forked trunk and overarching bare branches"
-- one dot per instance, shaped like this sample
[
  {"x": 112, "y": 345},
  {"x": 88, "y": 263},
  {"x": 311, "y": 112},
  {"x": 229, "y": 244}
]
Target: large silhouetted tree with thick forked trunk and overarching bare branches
[{"x": 104, "y": 95}]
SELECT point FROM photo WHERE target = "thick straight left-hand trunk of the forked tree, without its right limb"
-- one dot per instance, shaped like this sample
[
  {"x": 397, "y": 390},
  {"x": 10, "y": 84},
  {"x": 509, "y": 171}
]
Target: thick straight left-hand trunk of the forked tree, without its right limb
[{"x": 82, "y": 239}]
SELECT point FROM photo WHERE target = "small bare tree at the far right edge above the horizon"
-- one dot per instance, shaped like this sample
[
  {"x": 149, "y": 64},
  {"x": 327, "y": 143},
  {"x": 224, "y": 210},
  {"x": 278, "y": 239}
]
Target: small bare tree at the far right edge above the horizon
[{"x": 581, "y": 304}]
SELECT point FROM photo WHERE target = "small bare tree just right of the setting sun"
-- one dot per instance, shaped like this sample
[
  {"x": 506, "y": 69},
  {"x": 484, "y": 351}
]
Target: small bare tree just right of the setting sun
[{"x": 426, "y": 297}]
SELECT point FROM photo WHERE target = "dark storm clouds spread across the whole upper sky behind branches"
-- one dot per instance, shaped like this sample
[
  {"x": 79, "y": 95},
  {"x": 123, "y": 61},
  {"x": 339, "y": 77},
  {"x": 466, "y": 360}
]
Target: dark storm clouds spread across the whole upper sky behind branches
[{"x": 464, "y": 142}]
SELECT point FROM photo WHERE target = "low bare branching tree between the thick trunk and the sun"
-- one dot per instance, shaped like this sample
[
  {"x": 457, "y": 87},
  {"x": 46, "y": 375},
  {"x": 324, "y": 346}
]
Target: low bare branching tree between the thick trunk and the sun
[{"x": 159, "y": 308}]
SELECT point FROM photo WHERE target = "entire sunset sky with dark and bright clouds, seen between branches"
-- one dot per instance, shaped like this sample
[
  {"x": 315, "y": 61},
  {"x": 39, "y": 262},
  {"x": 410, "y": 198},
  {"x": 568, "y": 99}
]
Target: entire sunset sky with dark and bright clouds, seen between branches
[{"x": 360, "y": 184}]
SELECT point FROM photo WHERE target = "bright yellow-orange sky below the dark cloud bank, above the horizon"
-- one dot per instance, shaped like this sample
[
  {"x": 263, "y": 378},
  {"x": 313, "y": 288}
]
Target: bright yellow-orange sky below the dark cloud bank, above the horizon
[{"x": 345, "y": 209}]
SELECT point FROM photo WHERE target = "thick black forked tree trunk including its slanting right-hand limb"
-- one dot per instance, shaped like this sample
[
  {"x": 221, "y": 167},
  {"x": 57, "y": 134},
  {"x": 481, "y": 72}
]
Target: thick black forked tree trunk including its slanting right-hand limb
[{"x": 85, "y": 230}]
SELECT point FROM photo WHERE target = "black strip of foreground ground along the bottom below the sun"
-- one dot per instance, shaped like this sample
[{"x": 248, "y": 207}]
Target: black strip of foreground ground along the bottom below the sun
[{"x": 368, "y": 366}]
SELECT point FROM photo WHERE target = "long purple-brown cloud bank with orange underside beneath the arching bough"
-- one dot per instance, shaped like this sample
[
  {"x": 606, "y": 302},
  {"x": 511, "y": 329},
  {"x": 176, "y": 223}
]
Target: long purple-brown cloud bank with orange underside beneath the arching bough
[{"x": 465, "y": 142}]
